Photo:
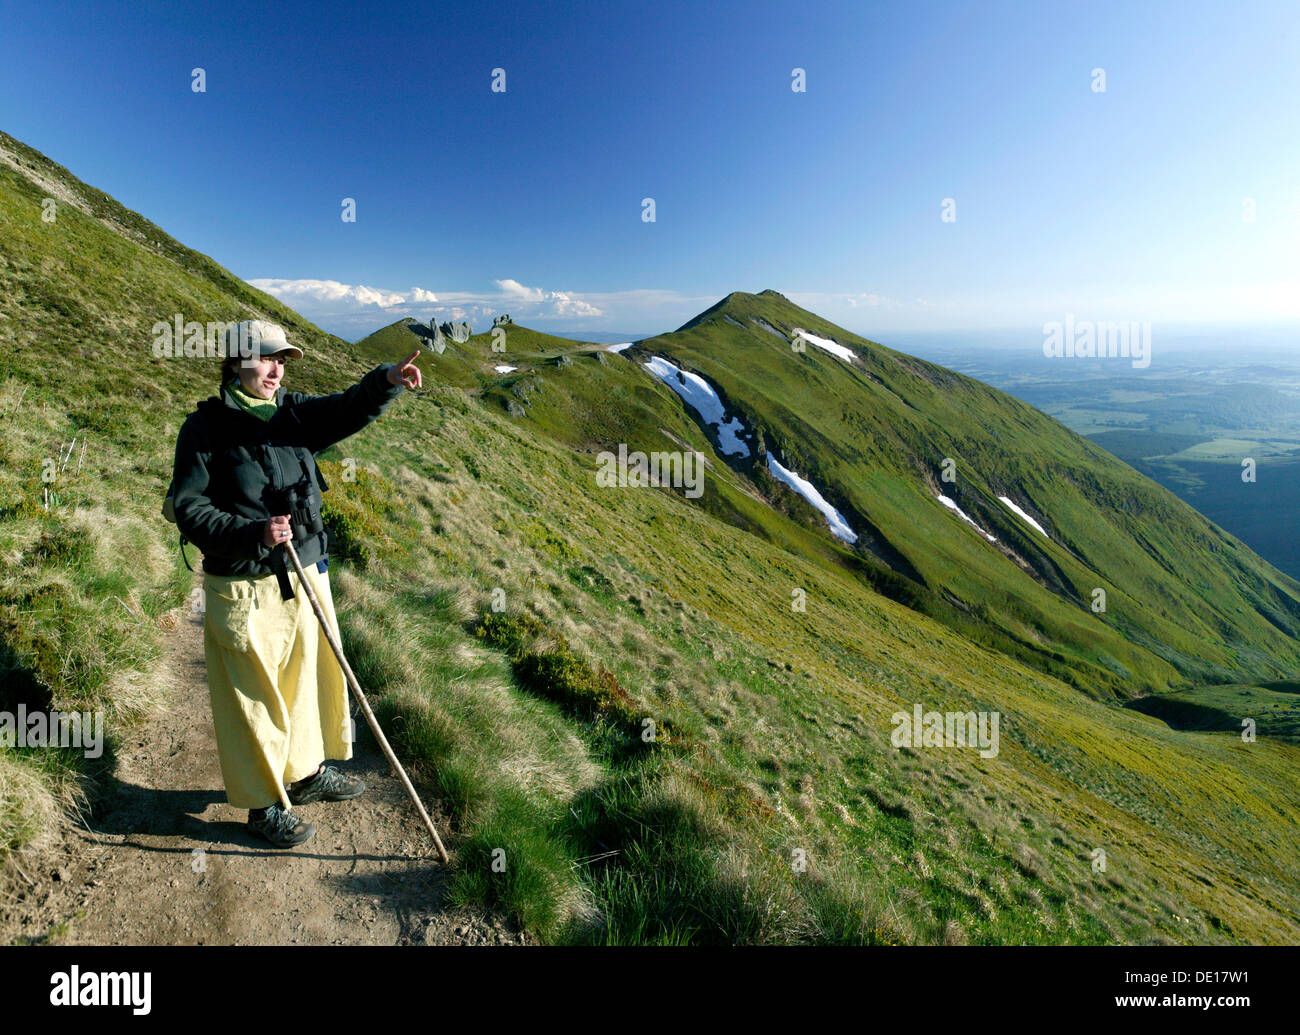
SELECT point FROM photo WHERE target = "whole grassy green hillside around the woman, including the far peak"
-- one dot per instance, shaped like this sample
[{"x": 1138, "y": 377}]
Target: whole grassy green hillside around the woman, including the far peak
[{"x": 613, "y": 690}]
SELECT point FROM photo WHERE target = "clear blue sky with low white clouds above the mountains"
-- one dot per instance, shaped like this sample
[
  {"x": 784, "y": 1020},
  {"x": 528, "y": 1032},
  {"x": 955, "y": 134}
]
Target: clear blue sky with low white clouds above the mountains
[{"x": 1125, "y": 205}]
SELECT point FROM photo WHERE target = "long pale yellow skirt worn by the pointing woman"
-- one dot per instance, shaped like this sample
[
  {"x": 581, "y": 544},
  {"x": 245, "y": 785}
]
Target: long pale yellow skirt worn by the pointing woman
[{"x": 279, "y": 696}]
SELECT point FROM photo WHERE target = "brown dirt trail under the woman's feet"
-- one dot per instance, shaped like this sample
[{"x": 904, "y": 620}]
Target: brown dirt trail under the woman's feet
[{"x": 164, "y": 860}]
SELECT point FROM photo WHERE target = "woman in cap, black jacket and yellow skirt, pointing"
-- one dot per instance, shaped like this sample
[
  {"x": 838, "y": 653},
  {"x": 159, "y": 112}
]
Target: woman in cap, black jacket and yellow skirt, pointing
[{"x": 246, "y": 483}]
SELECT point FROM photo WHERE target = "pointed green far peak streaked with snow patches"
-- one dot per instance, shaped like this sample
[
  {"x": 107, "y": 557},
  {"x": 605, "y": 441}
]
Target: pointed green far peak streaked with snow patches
[{"x": 1184, "y": 601}]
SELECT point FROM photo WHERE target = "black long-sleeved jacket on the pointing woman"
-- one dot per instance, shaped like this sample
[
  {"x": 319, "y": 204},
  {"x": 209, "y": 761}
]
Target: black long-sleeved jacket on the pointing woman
[{"x": 232, "y": 470}]
